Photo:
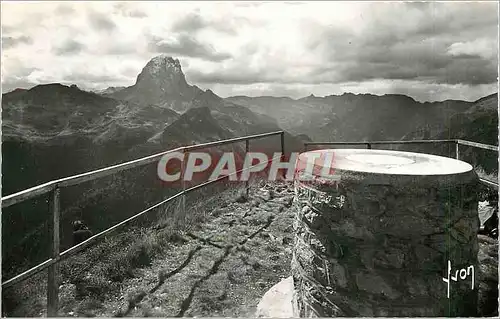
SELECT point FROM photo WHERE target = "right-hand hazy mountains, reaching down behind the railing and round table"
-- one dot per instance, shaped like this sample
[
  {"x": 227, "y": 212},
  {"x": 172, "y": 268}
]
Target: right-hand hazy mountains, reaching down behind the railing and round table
[{"x": 364, "y": 117}]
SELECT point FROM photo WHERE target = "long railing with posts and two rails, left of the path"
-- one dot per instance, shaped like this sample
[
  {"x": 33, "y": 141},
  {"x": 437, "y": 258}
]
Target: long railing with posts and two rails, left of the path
[{"x": 55, "y": 186}]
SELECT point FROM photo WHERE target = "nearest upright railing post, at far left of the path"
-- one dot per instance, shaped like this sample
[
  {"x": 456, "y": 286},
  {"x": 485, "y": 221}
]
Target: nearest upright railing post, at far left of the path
[{"x": 53, "y": 271}]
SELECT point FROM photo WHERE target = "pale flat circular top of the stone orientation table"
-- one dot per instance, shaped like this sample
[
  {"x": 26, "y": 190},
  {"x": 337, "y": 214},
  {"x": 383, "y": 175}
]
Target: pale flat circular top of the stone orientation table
[{"x": 383, "y": 162}]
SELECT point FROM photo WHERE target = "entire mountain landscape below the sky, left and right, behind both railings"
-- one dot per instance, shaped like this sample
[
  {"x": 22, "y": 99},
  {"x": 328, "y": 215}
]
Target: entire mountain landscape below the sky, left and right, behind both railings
[{"x": 52, "y": 131}]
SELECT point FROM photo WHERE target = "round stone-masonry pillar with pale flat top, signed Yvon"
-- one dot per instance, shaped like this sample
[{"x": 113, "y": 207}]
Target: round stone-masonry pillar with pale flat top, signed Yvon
[{"x": 378, "y": 242}]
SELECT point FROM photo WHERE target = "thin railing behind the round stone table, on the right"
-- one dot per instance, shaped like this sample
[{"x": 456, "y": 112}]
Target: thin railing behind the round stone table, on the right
[{"x": 456, "y": 142}]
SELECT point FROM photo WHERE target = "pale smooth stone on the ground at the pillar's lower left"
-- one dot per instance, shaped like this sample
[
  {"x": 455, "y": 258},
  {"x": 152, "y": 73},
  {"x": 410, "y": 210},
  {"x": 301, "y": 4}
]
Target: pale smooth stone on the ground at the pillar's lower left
[{"x": 277, "y": 301}]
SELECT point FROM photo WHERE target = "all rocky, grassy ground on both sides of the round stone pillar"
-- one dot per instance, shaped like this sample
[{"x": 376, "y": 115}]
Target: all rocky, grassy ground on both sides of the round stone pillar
[{"x": 222, "y": 266}]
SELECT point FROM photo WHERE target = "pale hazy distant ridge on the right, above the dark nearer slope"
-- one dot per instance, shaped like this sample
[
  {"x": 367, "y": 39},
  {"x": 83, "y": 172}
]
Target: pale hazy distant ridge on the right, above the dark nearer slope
[{"x": 355, "y": 117}]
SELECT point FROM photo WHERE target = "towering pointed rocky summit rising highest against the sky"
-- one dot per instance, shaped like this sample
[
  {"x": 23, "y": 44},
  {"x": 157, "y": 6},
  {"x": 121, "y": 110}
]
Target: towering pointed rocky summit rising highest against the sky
[{"x": 162, "y": 83}]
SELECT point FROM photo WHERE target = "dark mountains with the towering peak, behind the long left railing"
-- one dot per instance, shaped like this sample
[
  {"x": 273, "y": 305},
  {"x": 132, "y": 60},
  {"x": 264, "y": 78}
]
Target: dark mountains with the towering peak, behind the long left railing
[{"x": 52, "y": 131}]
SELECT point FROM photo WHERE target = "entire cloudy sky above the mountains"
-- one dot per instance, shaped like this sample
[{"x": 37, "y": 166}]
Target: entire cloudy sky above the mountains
[{"x": 430, "y": 51}]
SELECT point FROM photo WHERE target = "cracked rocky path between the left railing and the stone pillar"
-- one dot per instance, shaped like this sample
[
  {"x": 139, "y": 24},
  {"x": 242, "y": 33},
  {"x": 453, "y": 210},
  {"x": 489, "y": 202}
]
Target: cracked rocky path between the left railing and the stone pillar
[{"x": 221, "y": 268}]
